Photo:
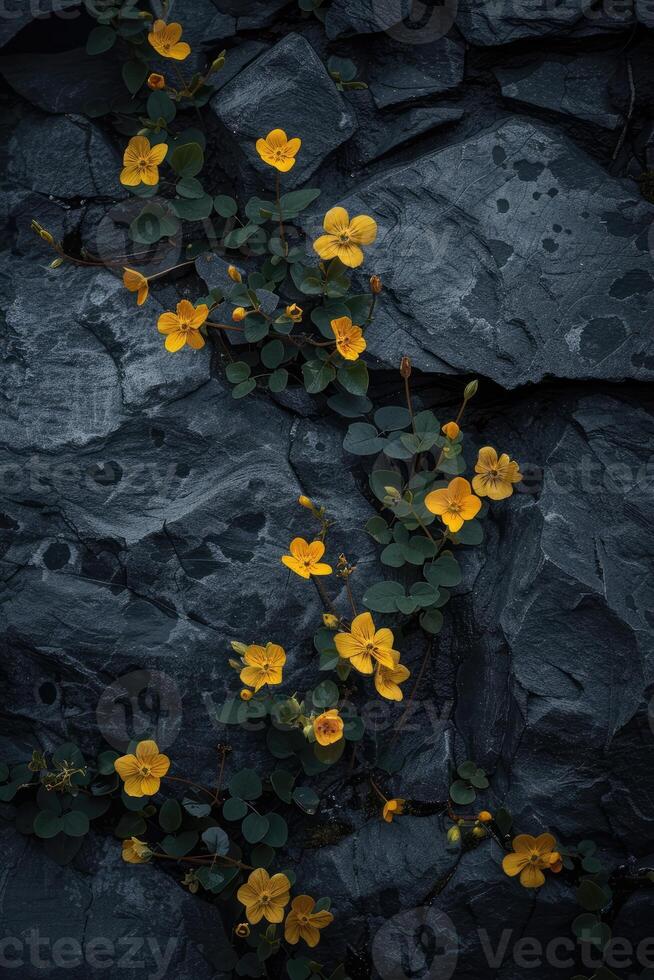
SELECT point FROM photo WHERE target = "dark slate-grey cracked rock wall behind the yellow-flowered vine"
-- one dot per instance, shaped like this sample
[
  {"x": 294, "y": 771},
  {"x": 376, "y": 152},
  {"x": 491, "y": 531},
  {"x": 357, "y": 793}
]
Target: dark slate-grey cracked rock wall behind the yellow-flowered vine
[{"x": 143, "y": 510}]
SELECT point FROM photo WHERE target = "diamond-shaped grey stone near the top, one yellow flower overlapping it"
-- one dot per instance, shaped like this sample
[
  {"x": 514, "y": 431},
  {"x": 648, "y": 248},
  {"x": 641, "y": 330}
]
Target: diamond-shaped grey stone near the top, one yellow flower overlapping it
[{"x": 287, "y": 88}]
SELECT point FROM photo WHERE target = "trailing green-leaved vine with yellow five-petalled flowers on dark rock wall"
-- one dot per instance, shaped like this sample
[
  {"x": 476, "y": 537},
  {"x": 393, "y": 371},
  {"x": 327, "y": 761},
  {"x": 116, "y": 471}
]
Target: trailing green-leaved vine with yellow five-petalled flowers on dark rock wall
[{"x": 286, "y": 311}]
